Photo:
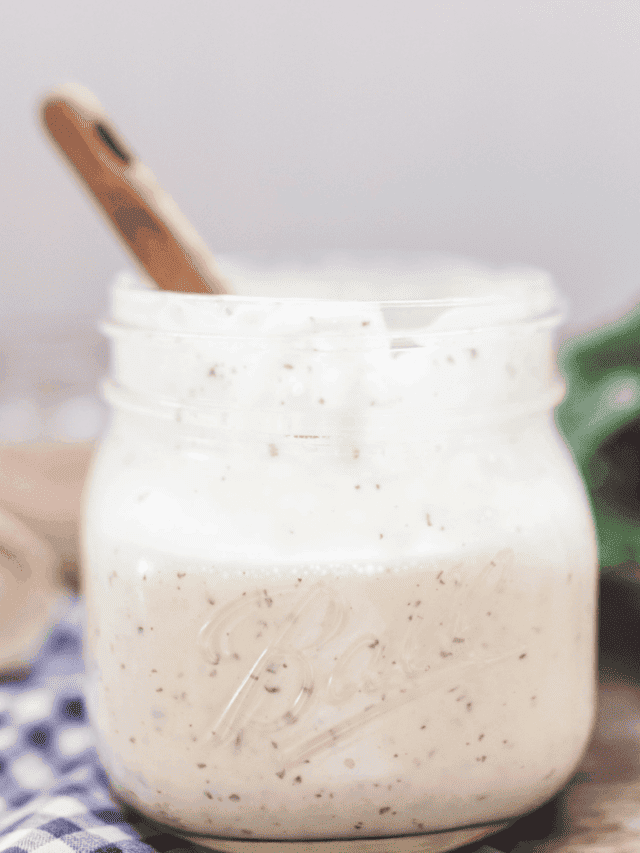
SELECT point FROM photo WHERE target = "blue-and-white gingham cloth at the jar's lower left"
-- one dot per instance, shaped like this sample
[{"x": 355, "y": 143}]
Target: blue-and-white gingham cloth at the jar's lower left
[{"x": 54, "y": 796}]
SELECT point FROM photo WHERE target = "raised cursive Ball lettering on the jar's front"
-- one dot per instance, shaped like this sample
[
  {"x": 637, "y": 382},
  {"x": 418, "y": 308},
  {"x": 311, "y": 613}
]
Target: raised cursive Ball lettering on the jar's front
[{"x": 297, "y": 658}]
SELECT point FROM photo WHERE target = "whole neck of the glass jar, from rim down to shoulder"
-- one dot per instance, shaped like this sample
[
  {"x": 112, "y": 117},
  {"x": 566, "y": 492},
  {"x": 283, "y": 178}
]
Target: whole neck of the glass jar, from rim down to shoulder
[{"x": 315, "y": 366}]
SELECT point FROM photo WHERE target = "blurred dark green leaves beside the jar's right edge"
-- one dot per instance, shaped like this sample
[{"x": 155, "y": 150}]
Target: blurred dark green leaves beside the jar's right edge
[{"x": 600, "y": 421}]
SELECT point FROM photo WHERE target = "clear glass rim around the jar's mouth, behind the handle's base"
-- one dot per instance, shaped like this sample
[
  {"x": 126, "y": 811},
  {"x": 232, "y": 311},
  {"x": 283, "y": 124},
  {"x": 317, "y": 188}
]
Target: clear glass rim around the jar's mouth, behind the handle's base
[{"x": 342, "y": 299}]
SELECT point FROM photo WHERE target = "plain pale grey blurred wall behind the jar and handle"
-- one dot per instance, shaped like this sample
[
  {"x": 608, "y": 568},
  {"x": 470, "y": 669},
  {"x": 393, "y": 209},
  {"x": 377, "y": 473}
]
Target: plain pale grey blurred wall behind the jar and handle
[{"x": 507, "y": 130}]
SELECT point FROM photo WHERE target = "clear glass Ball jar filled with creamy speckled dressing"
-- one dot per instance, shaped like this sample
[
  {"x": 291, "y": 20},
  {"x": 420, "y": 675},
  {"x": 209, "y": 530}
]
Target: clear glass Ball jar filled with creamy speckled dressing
[{"x": 339, "y": 567}]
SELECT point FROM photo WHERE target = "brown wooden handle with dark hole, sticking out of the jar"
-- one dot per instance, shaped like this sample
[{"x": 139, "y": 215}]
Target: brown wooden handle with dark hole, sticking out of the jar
[{"x": 156, "y": 233}]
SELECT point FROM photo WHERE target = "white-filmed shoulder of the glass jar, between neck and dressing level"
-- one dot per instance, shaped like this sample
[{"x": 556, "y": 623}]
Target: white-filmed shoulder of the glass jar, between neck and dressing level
[{"x": 364, "y": 502}]
